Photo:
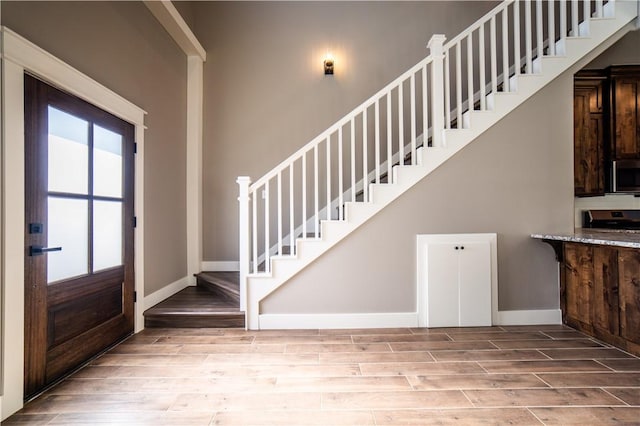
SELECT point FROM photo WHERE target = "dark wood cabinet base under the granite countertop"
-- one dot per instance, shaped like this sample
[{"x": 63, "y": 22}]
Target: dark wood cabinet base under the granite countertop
[{"x": 600, "y": 293}]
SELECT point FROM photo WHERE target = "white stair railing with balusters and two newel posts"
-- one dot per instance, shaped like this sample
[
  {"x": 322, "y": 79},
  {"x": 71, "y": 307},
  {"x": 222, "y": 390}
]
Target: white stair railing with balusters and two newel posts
[{"x": 438, "y": 93}]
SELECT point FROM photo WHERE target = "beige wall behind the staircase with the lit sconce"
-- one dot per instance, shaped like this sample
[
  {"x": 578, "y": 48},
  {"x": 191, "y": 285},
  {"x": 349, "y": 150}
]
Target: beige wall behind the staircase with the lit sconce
[{"x": 265, "y": 93}]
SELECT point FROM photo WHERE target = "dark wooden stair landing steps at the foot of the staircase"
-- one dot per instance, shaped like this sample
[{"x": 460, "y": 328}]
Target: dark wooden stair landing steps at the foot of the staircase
[{"x": 213, "y": 302}]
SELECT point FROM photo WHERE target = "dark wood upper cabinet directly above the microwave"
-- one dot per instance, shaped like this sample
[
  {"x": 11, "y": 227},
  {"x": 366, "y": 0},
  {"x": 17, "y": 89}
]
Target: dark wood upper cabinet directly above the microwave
[{"x": 625, "y": 111}]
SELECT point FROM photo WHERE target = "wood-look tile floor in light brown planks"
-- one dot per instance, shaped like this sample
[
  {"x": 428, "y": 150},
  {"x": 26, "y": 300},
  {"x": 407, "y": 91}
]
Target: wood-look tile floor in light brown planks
[{"x": 495, "y": 375}]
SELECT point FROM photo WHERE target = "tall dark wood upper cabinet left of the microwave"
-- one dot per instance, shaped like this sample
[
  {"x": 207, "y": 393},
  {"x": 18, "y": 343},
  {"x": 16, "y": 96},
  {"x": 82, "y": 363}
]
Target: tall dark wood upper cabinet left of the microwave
[{"x": 589, "y": 110}]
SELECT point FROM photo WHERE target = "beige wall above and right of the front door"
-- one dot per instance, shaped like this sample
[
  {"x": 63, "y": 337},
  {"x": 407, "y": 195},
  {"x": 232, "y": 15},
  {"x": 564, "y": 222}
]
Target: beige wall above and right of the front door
[{"x": 123, "y": 47}]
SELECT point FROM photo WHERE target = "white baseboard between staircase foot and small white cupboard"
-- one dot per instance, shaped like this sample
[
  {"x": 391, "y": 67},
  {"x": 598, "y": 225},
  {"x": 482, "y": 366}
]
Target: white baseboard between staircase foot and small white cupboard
[{"x": 336, "y": 321}]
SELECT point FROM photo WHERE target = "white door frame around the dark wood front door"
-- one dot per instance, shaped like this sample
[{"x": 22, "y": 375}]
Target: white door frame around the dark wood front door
[{"x": 20, "y": 56}]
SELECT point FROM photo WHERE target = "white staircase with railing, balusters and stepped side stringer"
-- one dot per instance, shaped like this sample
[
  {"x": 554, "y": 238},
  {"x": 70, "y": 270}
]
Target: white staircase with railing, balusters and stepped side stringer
[{"x": 350, "y": 172}]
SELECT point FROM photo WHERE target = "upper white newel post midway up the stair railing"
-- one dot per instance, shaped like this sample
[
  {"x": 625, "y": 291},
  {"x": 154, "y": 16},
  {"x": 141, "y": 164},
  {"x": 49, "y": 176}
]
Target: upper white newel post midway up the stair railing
[{"x": 437, "y": 87}]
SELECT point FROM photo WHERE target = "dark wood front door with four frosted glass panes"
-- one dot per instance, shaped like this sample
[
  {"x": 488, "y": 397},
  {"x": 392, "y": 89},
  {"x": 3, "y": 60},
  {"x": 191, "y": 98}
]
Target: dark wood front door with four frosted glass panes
[{"x": 79, "y": 280}]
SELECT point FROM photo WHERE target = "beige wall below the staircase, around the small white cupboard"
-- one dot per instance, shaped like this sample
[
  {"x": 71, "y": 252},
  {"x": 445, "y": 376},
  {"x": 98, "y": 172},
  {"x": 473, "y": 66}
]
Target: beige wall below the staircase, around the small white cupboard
[{"x": 514, "y": 180}]
